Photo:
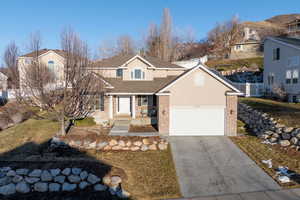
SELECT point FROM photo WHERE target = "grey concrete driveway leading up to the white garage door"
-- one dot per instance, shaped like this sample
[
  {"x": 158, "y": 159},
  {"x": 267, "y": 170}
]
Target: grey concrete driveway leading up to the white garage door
[{"x": 208, "y": 166}]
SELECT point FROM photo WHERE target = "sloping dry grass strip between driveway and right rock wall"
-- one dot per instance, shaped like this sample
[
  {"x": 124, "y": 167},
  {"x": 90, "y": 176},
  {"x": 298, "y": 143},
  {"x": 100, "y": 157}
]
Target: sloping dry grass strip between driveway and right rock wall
[{"x": 257, "y": 151}]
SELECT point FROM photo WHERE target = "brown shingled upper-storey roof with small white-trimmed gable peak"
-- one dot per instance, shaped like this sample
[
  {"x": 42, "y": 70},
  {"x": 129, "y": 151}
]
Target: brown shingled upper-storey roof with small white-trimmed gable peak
[{"x": 121, "y": 60}]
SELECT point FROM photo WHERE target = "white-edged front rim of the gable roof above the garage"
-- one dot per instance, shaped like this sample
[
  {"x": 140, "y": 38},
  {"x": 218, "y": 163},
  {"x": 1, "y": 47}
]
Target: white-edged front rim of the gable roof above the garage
[{"x": 215, "y": 75}]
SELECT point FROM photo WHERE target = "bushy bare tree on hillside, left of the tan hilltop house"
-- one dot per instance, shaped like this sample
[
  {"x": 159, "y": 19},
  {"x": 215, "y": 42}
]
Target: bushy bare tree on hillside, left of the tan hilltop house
[{"x": 224, "y": 35}]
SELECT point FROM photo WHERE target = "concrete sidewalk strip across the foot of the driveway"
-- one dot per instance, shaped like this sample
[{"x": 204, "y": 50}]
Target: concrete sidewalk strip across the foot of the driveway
[{"x": 288, "y": 194}]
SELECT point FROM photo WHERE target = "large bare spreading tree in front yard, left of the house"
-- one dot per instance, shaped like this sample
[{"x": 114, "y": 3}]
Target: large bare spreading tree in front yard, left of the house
[{"x": 68, "y": 93}]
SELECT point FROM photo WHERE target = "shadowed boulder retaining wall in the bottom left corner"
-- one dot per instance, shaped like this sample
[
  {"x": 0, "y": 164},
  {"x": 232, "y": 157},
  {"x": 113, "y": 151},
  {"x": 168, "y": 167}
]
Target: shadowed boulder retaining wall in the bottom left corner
[{"x": 56, "y": 180}]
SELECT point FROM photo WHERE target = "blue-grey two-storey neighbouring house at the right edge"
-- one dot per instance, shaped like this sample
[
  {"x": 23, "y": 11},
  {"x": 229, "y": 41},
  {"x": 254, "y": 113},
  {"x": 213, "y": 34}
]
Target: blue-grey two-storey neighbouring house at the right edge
[{"x": 282, "y": 65}]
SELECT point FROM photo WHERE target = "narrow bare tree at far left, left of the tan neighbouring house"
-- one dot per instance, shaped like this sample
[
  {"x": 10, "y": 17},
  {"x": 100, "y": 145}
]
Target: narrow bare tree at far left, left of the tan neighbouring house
[{"x": 11, "y": 54}]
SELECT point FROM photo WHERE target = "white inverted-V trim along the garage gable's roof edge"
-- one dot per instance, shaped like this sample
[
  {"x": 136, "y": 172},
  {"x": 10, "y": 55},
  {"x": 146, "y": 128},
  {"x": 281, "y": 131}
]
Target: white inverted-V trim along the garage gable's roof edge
[{"x": 201, "y": 66}]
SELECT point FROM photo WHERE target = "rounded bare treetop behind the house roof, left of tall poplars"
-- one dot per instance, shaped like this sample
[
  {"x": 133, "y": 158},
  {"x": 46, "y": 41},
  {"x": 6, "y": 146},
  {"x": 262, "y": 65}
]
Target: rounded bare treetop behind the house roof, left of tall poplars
[{"x": 125, "y": 45}]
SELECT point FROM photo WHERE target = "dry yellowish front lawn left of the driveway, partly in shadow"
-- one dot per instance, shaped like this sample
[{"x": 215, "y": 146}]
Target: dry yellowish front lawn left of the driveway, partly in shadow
[{"x": 149, "y": 175}]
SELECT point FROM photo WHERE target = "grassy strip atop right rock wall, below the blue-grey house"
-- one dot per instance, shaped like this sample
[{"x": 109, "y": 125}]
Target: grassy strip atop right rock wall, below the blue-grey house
[{"x": 286, "y": 113}]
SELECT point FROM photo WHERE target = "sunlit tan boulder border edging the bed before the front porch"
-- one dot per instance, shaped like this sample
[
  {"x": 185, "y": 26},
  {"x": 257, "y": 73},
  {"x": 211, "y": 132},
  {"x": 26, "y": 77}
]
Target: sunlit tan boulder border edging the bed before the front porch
[{"x": 114, "y": 144}]
